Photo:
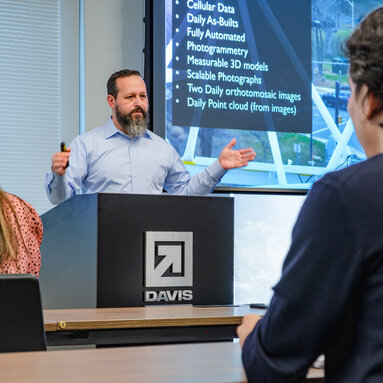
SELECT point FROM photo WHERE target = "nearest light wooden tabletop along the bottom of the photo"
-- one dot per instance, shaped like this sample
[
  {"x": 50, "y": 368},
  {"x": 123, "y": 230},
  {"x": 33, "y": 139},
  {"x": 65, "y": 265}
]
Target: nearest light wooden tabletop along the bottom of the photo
[{"x": 202, "y": 363}]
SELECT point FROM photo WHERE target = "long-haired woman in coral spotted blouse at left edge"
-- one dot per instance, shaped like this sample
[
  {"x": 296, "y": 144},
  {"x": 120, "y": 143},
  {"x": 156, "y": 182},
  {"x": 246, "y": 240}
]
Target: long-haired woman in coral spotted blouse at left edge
[{"x": 21, "y": 233}]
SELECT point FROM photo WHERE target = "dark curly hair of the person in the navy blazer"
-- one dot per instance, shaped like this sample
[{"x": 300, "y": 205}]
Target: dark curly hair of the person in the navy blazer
[{"x": 364, "y": 49}]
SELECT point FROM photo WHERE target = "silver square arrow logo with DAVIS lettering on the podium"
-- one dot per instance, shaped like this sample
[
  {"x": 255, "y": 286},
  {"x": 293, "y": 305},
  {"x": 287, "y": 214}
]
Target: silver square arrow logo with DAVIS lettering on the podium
[{"x": 168, "y": 263}]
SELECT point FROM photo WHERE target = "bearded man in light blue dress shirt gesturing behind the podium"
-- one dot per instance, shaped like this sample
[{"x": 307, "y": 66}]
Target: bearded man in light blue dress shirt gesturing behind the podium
[{"x": 123, "y": 156}]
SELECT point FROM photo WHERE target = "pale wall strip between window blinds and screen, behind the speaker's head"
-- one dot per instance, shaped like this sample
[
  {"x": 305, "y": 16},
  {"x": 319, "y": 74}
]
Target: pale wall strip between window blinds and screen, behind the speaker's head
[{"x": 114, "y": 40}]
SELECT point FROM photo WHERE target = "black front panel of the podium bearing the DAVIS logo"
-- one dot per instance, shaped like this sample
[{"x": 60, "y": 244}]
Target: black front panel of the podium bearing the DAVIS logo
[{"x": 164, "y": 249}]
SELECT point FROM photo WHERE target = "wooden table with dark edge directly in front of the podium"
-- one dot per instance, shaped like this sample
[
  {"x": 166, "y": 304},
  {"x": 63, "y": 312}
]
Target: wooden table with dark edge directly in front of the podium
[{"x": 143, "y": 325}]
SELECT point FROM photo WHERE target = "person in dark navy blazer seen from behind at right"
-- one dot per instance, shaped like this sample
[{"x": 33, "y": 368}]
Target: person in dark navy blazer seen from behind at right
[{"x": 329, "y": 299}]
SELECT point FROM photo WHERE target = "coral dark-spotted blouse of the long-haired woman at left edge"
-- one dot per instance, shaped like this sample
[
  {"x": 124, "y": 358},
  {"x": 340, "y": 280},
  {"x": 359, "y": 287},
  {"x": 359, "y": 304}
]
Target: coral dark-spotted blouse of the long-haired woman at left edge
[{"x": 31, "y": 231}]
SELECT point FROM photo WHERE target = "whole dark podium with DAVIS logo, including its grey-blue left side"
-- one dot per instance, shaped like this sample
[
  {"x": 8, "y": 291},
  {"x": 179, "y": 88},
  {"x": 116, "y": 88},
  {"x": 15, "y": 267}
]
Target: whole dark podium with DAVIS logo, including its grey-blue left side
[{"x": 120, "y": 250}]
